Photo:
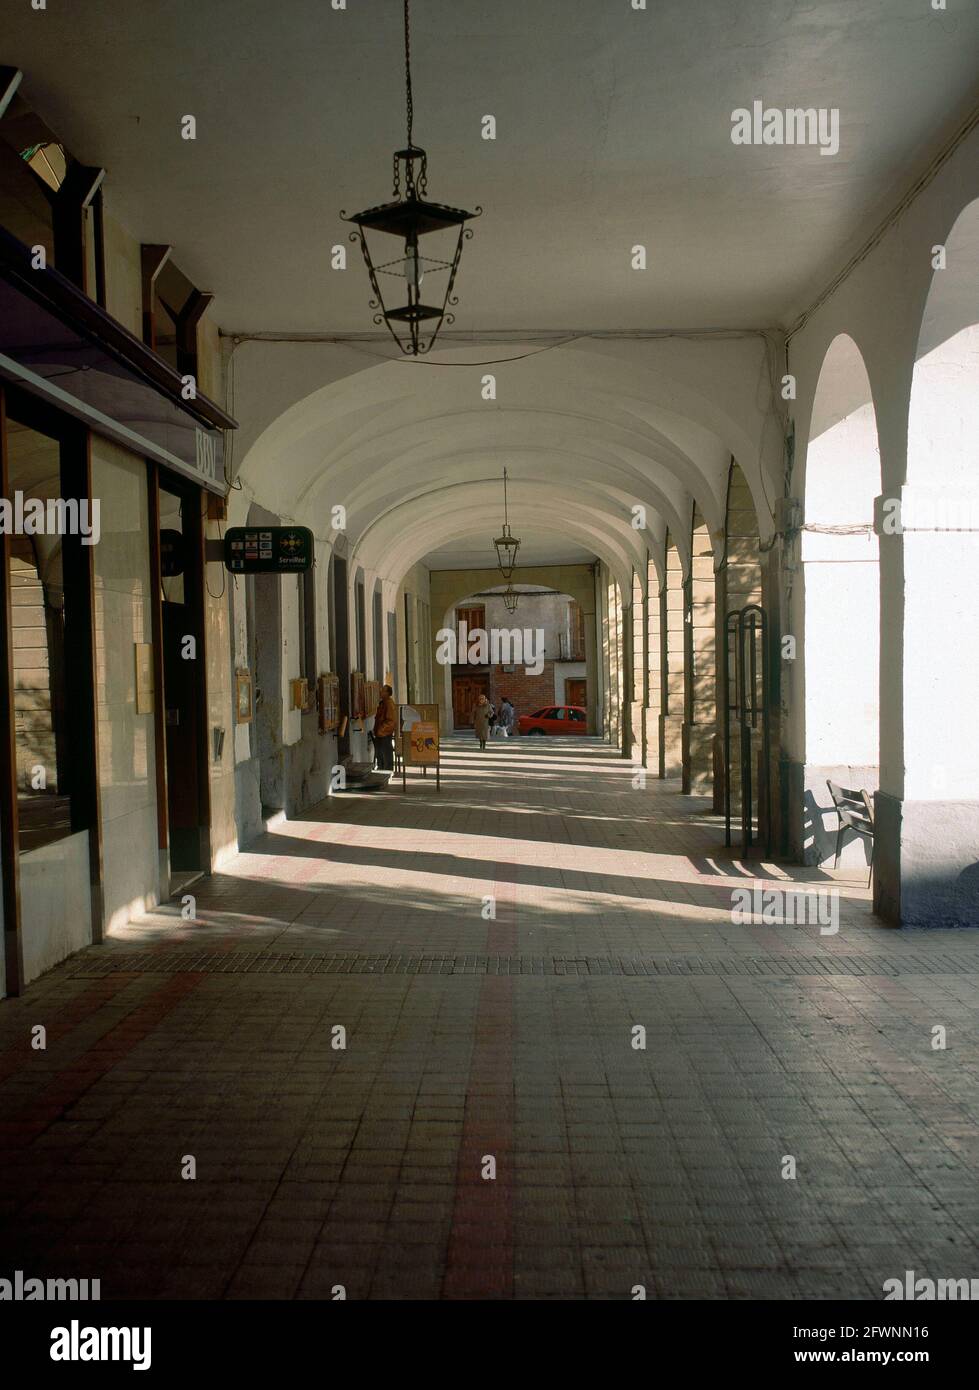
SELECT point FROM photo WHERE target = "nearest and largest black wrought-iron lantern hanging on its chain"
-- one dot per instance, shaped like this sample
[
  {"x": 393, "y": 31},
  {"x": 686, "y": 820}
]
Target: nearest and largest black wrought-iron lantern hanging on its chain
[{"x": 415, "y": 325}]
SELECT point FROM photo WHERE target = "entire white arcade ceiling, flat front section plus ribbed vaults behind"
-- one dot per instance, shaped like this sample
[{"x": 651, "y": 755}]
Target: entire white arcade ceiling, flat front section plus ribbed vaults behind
[{"x": 614, "y": 130}]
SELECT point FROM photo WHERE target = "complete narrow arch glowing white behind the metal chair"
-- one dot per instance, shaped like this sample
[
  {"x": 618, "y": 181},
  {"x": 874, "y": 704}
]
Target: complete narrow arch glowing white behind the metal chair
[{"x": 842, "y": 601}]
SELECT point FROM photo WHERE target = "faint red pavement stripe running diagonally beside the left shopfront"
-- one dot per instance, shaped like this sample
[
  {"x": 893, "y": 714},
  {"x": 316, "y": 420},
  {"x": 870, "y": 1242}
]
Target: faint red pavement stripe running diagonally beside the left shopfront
[{"x": 73, "y": 1082}]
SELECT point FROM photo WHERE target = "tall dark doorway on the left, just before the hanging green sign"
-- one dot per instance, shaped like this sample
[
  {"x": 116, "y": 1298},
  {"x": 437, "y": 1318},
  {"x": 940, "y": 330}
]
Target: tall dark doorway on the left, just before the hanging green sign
[{"x": 181, "y": 669}]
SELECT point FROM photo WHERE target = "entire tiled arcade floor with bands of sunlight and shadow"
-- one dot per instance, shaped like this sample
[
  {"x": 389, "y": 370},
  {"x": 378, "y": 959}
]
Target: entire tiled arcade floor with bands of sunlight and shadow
[{"x": 511, "y": 1039}]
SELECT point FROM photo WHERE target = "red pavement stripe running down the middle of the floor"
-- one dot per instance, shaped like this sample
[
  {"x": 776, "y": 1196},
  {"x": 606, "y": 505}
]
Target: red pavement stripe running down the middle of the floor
[{"x": 480, "y": 1254}]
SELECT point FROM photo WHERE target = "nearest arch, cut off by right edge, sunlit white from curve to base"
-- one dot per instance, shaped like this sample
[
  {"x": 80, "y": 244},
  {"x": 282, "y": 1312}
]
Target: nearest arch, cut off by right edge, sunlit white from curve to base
[{"x": 935, "y": 817}]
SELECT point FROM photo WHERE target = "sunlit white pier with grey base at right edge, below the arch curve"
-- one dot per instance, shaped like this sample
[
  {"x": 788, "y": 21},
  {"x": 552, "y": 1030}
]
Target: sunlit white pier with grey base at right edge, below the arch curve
[{"x": 927, "y": 807}]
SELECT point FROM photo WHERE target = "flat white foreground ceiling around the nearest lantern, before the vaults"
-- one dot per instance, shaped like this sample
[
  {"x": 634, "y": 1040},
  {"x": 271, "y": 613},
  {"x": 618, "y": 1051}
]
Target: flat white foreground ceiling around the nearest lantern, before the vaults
[{"x": 614, "y": 129}]
